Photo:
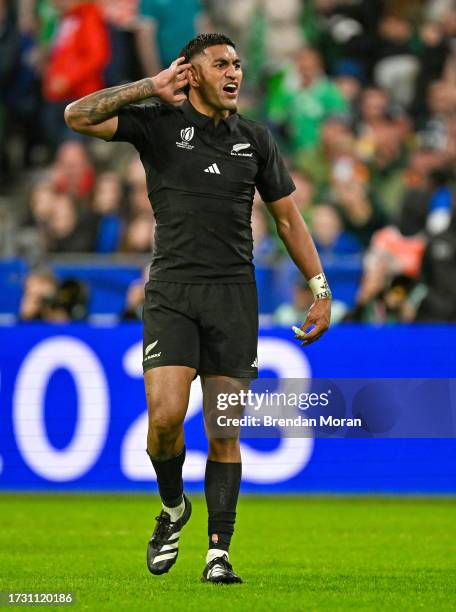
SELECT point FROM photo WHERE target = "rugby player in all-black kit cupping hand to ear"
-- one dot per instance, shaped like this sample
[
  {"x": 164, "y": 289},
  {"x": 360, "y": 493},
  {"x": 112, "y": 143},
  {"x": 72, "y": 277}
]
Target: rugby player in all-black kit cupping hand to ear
[{"x": 203, "y": 162}]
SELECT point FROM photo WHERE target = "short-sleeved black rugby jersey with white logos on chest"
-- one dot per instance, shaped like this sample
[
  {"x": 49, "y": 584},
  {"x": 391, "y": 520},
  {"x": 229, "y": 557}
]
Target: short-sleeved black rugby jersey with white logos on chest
[{"x": 201, "y": 180}]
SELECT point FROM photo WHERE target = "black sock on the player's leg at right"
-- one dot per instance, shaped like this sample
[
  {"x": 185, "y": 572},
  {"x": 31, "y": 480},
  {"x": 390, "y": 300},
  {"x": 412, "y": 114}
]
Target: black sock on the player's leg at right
[{"x": 221, "y": 486}]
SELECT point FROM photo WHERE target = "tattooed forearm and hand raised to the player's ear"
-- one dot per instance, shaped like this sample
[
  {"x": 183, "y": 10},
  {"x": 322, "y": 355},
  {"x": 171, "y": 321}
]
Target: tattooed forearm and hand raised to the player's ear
[{"x": 96, "y": 114}]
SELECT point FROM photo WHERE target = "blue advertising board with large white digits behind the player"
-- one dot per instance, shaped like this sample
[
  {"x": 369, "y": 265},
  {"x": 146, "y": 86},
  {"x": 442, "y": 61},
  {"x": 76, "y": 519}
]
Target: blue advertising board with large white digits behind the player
[{"x": 73, "y": 413}]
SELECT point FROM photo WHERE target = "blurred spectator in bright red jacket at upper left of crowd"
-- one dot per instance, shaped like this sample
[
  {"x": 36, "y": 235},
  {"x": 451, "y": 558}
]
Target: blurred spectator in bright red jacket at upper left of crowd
[{"x": 78, "y": 57}]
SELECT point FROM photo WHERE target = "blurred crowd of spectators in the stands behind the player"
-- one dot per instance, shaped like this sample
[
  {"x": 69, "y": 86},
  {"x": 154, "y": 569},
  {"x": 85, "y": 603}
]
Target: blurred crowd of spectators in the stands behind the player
[{"x": 360, "y": 94}]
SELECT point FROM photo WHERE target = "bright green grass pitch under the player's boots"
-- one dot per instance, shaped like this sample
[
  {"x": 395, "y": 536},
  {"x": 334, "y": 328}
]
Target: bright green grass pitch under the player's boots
[{"x": 294, "y": 553}]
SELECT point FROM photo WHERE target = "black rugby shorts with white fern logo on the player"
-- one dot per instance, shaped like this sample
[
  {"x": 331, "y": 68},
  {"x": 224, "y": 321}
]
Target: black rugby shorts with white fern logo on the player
[{"x": 210, "y": 327}]
